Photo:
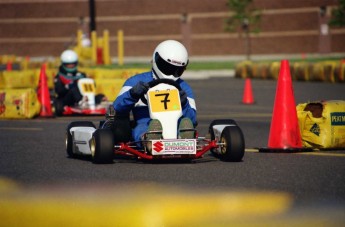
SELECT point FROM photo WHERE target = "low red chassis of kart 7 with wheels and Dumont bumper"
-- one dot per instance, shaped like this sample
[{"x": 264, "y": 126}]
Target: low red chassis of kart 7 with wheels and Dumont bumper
[{"x": 225, "y": 140}]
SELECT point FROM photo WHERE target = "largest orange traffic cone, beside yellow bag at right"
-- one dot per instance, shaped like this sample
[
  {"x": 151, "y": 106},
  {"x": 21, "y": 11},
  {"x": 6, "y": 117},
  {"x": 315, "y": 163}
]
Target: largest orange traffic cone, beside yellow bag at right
[{"x": 284, "y": 134}]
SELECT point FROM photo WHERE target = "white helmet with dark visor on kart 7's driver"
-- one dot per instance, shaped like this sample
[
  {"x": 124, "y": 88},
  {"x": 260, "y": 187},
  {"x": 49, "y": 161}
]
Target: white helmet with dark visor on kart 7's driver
[{"x": 170, "y": 59}]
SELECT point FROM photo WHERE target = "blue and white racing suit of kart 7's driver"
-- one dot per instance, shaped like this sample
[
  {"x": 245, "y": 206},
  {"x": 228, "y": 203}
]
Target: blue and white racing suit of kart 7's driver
[{"x": 124, "y": 103}]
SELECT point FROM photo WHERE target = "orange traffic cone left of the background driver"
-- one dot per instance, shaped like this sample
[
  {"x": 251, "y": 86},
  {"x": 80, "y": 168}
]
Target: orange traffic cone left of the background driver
[{"x": 43, "y": 94}]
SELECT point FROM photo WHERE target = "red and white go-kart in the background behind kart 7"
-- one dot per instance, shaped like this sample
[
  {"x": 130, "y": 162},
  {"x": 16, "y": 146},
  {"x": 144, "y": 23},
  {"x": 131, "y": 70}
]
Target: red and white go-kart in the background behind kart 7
[{"x": 94, "y": 104}]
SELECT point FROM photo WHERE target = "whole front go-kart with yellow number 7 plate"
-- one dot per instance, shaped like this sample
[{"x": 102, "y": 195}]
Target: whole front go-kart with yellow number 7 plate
[{"x": 113, "y": 138}]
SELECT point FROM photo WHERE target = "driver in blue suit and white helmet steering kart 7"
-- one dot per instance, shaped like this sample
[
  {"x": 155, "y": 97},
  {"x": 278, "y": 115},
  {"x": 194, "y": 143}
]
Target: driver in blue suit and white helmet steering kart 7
[{"x": 169, "y": 60}]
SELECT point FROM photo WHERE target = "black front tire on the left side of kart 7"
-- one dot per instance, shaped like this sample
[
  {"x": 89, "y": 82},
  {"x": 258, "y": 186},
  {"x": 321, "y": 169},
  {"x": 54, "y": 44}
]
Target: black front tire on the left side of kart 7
[{"x": 102, "y": 146}]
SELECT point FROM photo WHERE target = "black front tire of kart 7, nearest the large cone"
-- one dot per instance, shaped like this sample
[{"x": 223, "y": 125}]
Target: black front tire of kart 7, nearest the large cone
[{"x": 233, "y": 148}]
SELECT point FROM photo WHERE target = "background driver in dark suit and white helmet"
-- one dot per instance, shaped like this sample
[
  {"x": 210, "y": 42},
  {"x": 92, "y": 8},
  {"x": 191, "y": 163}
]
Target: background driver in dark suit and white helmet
[{"x": 65, "y": 82}]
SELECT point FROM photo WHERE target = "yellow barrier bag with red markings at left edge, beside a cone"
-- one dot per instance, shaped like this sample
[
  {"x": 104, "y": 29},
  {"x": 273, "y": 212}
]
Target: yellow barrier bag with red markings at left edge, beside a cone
[{"x": 19, "y": 103}]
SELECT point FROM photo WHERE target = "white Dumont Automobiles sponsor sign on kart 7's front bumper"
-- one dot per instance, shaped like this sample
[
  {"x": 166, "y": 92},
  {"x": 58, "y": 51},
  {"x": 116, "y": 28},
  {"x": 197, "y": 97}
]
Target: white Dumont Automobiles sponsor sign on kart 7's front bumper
[{"x": 165, "y": 147}]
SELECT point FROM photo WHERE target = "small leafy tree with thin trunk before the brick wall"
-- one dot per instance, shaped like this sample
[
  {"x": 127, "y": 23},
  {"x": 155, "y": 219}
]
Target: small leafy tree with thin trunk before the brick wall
[{"x": 245, "y": 18}]
